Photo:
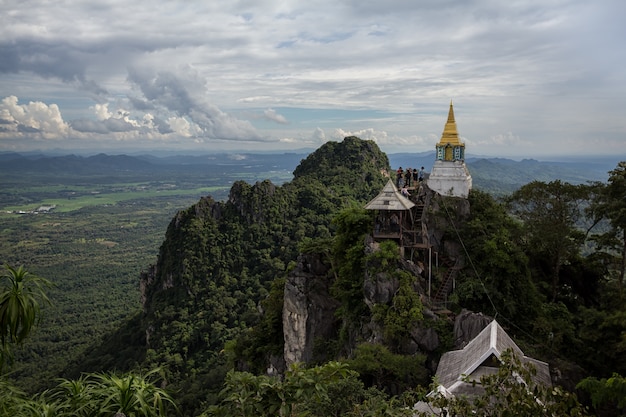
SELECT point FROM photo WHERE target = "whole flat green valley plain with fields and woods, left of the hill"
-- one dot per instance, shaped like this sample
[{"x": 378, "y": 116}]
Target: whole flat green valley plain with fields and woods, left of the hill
[{"x": 101, "y": 232}]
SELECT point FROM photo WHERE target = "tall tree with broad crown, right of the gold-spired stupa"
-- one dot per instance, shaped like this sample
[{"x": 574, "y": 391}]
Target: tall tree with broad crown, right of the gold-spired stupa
[{"x": 551, "y": 213}]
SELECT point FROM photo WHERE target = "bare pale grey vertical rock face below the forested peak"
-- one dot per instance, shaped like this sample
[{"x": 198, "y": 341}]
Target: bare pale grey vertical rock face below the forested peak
[{"x": 308, "y": 309}]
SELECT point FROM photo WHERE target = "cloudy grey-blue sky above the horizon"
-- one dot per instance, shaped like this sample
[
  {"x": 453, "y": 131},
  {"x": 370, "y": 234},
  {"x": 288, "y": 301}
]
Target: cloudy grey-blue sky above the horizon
[{"x": 527, "y": 77}]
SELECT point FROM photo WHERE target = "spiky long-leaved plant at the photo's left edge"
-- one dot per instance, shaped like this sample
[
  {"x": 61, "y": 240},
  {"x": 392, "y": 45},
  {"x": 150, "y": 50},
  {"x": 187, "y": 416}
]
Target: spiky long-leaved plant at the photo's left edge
[{"x": 20, "y": 297}]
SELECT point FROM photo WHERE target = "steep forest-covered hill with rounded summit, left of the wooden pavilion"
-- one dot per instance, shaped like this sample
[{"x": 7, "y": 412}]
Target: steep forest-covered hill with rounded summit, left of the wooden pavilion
[{"x": 219, "y": 260}]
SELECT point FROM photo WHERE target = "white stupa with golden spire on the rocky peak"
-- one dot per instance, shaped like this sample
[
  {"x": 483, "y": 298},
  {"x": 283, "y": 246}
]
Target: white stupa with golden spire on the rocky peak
[{"x": 449, "y": 176}]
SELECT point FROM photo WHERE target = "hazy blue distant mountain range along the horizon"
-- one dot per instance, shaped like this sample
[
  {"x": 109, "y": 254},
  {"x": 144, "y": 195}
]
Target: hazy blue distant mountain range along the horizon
[{"x": 494, "y": 175}]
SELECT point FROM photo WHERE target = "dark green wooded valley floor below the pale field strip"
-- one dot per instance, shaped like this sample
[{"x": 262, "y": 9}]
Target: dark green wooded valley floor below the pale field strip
[{"x": 93, "y": 256}]
